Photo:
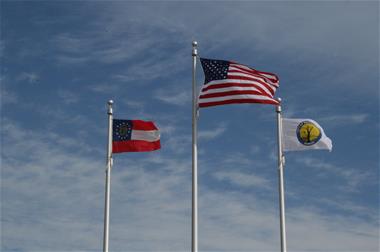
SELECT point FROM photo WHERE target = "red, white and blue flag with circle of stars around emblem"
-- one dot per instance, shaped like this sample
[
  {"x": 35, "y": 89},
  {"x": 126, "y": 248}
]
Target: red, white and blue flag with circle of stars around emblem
[{"x": 134, "y": 136}]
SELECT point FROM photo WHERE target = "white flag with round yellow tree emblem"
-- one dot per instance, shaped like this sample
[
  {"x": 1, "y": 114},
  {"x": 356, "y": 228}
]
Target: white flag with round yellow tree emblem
[{"x": 303, "y": 134}]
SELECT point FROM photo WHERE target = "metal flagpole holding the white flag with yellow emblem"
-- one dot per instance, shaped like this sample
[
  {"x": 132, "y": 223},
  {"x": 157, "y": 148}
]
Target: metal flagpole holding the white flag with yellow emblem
[{"x": 281, "y": 178}]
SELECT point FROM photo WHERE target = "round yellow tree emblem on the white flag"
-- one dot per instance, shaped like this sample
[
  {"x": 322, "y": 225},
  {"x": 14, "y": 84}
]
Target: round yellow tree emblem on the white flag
[{"x": 308, "y": 133}]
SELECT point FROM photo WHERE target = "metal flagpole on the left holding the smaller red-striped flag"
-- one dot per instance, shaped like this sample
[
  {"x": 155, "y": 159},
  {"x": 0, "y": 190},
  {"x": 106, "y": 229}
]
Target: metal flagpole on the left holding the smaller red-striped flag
[{"x": 108, "y": 179}]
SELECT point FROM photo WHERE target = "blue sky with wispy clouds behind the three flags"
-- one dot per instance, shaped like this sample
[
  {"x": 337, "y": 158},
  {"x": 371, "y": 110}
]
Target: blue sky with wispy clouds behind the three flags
[{"x": 62, "y": 61}]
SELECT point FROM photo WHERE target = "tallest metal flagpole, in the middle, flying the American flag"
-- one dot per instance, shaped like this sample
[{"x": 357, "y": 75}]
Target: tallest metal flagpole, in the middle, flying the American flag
[{"x": 194, "y": 216}]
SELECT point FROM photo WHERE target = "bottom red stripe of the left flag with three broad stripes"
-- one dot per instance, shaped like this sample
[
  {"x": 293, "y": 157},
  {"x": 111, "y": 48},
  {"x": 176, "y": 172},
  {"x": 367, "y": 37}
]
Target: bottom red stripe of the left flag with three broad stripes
[{"x": 135, "y": 146}]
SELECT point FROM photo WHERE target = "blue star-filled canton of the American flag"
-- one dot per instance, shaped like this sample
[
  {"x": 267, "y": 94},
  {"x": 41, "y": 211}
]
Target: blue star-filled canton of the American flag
[{"x": 215, "y": 69}]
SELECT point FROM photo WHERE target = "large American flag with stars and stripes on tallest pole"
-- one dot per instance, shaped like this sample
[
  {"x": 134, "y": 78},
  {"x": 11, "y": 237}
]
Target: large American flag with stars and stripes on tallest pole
[{"x": 228, "y": 82}]
